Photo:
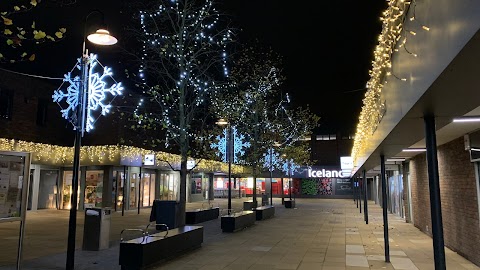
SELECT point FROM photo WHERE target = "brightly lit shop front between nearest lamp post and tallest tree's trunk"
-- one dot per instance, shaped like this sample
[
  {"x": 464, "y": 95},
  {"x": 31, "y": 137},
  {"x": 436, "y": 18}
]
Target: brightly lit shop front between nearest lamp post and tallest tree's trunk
[{"x": 109, "y": 186}]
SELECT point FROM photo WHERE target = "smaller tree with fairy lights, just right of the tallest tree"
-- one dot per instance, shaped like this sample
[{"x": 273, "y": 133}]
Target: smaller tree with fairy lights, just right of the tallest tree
[{"x": 256, "y": 105}]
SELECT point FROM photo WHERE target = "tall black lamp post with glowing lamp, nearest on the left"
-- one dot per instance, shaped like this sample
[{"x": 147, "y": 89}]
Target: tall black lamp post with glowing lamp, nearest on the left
[{"x": 100, "y": 37}]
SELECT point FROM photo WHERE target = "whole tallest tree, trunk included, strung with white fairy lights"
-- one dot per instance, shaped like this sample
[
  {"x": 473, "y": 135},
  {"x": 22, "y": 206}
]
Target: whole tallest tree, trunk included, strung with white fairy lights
[{"x": 181, "y": 56}]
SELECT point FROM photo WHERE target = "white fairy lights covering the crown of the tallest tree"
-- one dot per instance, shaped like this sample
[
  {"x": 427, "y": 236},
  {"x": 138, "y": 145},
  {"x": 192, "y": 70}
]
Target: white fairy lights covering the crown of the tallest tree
[{"x": 183, "y": 45}]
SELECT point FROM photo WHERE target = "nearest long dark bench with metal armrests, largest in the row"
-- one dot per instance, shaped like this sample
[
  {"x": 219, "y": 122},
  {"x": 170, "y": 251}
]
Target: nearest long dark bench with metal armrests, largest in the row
[{"x": 150, "y": 249}]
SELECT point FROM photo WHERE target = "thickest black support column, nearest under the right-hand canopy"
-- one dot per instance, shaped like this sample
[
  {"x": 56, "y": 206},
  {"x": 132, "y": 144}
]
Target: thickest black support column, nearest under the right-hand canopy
[{"x": 434, "y": 186}]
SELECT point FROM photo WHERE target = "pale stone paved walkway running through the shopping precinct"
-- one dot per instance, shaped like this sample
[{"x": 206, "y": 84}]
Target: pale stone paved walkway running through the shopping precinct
[{"x": 317, "y": 234}]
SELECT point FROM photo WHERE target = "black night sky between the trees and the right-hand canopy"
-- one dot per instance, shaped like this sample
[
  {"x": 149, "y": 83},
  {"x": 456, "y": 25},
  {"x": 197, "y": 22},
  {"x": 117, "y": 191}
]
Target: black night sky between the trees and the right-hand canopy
[{"x": 327, "y": 48}]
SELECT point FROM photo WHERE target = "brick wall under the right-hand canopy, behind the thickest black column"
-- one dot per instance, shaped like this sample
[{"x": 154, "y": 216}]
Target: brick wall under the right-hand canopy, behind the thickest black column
[{"x": 458, "y": 193}]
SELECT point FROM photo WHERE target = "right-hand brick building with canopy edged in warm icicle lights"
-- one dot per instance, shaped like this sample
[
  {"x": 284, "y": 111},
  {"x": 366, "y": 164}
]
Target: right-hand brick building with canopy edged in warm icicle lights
[{"x": 423, "y": 88}]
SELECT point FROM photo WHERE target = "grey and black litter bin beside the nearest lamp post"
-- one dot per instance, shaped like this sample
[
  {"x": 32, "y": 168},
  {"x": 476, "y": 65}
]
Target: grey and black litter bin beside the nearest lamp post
[{"x": 96, "y": 229}]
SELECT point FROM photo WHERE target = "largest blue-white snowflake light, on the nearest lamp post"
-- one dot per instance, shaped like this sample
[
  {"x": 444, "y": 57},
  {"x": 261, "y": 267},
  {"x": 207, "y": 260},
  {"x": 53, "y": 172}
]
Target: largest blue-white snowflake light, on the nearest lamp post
[{"x": 96, "y": 92}]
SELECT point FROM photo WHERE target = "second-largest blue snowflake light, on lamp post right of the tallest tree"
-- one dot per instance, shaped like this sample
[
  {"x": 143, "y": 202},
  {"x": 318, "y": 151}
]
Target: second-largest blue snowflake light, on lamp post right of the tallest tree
[{"x": 239, "y": 145}]
